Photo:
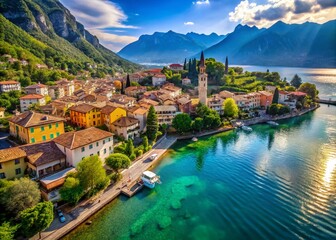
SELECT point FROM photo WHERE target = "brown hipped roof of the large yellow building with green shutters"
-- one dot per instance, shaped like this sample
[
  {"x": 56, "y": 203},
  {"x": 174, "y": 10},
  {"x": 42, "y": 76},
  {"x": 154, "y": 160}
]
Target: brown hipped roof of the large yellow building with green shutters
[{"x": 30, "y": 118}]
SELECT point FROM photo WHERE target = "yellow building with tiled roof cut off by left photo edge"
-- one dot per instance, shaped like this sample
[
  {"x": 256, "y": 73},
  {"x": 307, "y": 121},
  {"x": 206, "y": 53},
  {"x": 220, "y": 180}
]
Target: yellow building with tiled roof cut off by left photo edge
[{"x": 12, "y": 163}]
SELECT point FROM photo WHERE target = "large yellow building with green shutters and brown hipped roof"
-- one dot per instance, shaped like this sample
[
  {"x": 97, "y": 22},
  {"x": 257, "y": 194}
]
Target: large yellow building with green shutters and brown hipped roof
[{"x": 32, "y": 127}]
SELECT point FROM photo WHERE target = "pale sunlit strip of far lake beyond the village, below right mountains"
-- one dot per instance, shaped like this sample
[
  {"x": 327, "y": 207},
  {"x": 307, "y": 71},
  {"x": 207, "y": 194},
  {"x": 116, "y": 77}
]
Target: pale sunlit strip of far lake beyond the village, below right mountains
[{"x": 323, "y": 78}]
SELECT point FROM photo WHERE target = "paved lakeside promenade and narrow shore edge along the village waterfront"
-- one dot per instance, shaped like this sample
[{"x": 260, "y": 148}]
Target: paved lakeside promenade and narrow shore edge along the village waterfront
[{"x": 90, "y": 207}]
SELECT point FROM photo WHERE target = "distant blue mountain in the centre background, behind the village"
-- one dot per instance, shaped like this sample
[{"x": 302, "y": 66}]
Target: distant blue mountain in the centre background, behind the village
[{"x": 167, "y": 47}]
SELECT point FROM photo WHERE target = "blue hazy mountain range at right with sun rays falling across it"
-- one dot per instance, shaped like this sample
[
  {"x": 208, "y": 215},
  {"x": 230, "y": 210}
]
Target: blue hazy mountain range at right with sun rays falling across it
[{"x": 300, "y": 45}]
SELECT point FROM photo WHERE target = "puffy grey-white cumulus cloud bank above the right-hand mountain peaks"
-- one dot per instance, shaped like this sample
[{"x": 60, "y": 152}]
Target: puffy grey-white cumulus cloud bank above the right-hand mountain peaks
[{"x": 290, "y": 11}]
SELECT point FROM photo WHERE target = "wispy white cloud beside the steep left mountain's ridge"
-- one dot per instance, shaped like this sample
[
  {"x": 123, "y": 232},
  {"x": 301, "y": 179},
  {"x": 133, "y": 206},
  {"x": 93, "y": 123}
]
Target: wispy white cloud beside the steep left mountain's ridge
[{"x": 97, "y": 13}]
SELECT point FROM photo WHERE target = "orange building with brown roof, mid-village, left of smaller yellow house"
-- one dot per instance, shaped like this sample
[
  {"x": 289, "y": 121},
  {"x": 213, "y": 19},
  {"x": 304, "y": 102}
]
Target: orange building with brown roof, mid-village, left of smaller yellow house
[{"x": 85, "y": 115}]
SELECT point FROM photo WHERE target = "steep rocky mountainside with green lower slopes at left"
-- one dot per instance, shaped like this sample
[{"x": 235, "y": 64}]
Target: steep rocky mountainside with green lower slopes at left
[{"x": 54, "y": 34}]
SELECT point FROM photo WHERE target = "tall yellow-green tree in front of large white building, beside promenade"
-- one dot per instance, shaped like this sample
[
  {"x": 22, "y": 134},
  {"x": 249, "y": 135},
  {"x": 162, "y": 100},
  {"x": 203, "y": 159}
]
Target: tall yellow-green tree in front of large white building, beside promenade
[{"x": 92, "y": 175}]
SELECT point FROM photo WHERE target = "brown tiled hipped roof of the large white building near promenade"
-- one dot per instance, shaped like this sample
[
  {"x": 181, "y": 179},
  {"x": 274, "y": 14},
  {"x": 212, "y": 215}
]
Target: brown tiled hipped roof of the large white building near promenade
[{"x": 73, "y": 140}]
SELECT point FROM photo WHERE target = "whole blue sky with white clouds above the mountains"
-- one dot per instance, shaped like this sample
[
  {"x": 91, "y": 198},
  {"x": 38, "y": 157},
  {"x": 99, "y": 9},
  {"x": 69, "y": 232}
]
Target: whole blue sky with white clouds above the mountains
[{"x": 119, "y": 22}]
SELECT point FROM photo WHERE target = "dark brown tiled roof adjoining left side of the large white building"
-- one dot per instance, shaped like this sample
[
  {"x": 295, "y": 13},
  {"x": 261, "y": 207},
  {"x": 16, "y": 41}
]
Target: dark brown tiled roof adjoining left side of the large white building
[{"x": 42, "y": 153}]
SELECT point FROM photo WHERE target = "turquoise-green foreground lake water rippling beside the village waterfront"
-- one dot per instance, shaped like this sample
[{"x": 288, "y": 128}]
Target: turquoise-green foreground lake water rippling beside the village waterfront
[{"x": 273, "y": 183}]
